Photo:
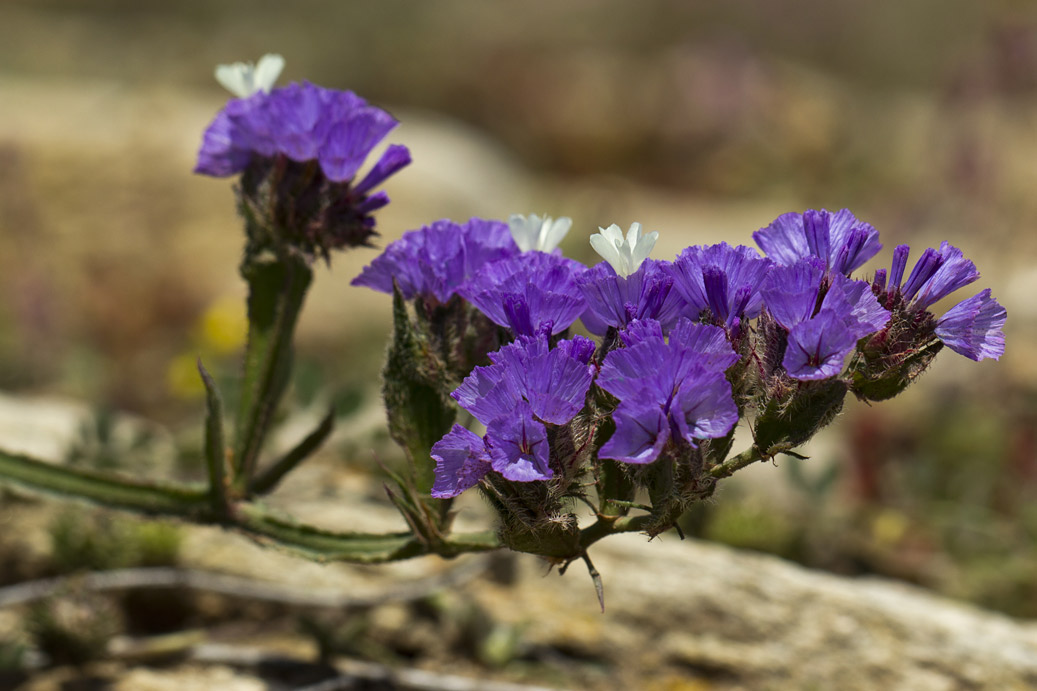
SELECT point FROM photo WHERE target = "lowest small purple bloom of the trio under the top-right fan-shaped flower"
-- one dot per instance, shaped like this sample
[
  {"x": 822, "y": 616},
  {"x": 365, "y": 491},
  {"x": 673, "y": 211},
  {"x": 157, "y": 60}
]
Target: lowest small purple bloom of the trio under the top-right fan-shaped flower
[{"x": 818, "y": 348}]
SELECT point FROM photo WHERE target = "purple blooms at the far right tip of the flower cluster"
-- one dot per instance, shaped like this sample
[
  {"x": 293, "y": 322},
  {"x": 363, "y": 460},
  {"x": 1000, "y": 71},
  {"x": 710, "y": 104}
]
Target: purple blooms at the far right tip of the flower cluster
[{"x": 972, "y": 328}]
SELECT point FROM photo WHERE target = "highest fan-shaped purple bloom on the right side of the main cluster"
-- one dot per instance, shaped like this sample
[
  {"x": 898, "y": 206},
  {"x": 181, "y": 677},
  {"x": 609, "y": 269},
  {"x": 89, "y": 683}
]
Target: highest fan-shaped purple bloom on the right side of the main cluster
[{"x": 840, "y": 240}]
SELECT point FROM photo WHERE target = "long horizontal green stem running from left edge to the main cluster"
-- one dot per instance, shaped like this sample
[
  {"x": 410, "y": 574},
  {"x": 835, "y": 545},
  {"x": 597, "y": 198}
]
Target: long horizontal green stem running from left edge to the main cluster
[{"x": 194, "y": 504}]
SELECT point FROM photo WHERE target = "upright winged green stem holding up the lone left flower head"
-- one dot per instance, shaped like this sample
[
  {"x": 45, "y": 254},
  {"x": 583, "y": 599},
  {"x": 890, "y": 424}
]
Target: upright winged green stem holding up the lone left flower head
[{"x": 276, "y": 294}]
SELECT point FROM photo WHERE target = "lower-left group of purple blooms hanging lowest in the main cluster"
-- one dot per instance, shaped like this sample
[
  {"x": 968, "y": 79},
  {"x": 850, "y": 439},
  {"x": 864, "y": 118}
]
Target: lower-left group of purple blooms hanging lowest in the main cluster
[{"x": 528, "y": 386}]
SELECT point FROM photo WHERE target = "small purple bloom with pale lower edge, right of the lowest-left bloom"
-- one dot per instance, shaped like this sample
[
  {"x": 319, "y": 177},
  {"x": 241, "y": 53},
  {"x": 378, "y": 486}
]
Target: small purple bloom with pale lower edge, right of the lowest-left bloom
[{"x": 519, "y": 447}]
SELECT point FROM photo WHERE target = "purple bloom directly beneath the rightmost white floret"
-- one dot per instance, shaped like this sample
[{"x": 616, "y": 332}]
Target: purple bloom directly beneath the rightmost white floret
[{"x": 616, "y": 301}]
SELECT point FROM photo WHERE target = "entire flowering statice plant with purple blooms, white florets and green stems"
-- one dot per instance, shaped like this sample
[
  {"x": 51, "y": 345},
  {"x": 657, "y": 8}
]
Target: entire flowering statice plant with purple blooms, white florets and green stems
[{"x": 488, "y": 385}]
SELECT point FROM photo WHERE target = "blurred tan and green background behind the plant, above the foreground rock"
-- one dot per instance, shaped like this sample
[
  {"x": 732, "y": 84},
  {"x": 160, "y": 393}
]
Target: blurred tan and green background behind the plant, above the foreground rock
[{"x": 704, "y": 121}]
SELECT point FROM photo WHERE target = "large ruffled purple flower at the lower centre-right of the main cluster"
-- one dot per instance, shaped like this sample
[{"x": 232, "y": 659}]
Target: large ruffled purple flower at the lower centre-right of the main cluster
[{"x": 668, "y": 391}]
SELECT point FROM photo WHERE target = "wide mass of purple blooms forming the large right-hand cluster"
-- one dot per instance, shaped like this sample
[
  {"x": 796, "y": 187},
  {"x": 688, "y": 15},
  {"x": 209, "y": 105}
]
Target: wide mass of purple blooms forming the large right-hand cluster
[{"x": 685, "y": 331}]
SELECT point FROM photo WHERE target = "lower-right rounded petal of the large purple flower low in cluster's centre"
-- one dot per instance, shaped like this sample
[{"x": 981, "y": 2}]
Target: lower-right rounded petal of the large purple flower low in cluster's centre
[{"x": 704, "y": 407}]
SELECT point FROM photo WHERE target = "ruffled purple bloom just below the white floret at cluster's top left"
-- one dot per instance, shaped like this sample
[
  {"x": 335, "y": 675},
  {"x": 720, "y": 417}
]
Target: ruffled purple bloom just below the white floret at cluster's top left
[{"x": 528, "y": 291}]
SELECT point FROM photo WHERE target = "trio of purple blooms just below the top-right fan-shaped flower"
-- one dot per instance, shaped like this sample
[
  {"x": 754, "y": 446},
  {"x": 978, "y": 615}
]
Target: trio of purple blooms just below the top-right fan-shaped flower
[{"x": 823, "y": 330}]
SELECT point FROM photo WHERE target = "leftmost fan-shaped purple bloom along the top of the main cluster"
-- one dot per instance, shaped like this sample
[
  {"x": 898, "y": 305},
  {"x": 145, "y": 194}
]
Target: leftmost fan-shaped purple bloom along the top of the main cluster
[{"x": 437, "y": 260}]
